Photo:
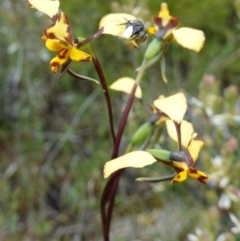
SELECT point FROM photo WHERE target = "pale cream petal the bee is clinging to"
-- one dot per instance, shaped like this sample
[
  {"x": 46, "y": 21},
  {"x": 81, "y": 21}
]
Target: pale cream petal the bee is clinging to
[{"x": 114, "y": 23}]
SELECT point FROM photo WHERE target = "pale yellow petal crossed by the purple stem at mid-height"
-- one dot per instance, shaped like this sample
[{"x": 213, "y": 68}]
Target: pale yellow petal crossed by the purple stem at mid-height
[{"x": 125, "y": 84}]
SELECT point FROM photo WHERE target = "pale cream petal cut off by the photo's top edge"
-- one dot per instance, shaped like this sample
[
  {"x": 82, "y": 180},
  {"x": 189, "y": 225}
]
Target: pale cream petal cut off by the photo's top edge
[{"x": 49, "y": 7}]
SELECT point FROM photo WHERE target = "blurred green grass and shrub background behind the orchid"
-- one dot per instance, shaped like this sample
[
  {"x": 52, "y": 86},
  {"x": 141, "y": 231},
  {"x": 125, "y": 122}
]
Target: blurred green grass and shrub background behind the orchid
[{"x": 54, "y": 134}]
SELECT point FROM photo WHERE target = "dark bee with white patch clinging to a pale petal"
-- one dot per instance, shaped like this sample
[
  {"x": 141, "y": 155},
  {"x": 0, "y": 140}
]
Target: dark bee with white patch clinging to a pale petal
[{"x": 135, "y": 32}]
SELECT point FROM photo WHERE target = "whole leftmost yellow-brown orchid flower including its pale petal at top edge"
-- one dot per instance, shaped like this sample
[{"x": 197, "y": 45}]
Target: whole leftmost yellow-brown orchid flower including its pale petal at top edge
[{"x": 58, "y": 36}]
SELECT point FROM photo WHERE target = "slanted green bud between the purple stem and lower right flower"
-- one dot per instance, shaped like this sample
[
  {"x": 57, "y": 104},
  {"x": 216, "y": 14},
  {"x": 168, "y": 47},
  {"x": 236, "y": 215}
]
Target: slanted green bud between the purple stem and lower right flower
[{"x": 142, "y": 133}]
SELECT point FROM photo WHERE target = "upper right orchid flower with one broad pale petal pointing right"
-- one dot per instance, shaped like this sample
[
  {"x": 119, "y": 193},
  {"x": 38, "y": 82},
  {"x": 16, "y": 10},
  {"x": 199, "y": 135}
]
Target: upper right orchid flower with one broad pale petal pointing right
[{"x": 165, "y": 28}]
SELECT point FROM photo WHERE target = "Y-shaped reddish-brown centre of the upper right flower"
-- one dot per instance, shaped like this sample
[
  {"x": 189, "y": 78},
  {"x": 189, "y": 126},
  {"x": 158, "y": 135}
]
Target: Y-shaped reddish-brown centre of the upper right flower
[{"x": 163, "y": 30}]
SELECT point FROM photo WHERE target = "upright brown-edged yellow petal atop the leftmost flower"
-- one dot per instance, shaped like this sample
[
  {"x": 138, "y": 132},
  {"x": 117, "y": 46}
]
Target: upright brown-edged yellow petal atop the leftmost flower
[{"x": 60, "y": 30}]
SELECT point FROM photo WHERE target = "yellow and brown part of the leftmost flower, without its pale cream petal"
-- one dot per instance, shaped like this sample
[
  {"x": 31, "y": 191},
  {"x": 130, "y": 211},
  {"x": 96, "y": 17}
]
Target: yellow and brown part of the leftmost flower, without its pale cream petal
[{"x": 58, "y": 38}]
